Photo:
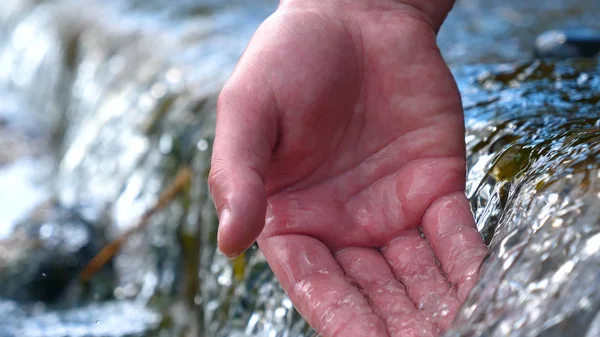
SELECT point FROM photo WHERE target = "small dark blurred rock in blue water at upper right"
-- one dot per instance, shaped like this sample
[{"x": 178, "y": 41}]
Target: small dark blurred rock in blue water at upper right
[{"x": 568, "y": 43}]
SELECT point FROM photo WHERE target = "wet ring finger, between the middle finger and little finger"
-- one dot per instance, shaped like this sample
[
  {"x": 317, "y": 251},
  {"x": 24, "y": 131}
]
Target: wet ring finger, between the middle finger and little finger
[{"x": 414, "y": 264}]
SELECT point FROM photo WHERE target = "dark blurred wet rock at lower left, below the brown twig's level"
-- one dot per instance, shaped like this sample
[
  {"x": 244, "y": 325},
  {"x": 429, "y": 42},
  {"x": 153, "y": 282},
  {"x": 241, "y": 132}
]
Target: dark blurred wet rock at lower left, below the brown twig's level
[{"x": 43, "y": 257}]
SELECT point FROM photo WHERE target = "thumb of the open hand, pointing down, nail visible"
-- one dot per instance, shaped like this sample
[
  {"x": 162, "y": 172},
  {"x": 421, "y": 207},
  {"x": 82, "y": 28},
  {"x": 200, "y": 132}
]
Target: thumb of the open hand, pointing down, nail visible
[{"x": 245, "y": 136}]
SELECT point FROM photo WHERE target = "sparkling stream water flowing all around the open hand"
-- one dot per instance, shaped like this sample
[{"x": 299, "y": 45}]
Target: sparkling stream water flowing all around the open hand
[{"x": 103, "y": 103}]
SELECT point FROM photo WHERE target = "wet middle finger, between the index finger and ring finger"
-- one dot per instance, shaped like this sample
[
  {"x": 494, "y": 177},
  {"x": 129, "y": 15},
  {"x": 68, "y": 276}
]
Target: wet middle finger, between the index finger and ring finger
[{"x": 385, "y": 293}]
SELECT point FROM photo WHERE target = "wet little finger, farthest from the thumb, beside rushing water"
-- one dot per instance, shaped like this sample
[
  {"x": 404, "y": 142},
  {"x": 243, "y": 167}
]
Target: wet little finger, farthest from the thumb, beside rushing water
[{"x": 450, "y": 228}]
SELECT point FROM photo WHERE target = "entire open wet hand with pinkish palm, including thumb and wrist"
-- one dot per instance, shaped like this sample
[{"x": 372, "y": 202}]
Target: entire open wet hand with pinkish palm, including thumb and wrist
[{"x": 340, "y": 149}]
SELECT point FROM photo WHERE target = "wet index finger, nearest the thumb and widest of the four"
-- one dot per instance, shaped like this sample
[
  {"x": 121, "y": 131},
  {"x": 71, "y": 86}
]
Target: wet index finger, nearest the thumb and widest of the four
[{"x": 319, "y": 288}]
